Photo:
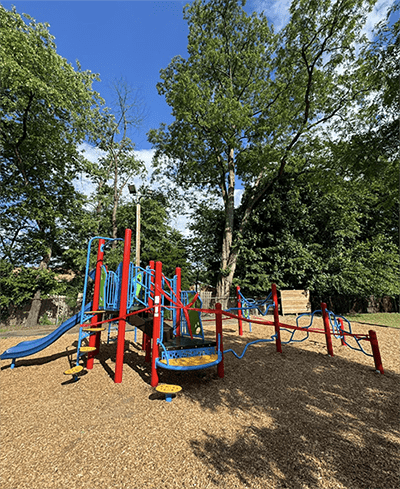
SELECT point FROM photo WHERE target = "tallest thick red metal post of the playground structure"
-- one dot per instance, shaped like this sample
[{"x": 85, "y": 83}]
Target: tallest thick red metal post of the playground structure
[{"x": 122, "y": 307}]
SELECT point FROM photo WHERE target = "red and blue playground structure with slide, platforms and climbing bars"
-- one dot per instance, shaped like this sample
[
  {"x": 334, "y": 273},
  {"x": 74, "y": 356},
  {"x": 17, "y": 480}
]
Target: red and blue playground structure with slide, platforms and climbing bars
[{"x": 170, "y": 320}]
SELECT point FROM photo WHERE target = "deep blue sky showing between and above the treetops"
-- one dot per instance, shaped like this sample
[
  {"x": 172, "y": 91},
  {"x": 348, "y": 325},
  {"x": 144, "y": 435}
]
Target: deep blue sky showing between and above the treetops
[{"x": 133, "y": 39}]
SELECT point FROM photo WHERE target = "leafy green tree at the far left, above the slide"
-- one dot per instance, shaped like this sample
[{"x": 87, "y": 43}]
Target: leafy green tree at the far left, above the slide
[{"x": 46, "y": 109}]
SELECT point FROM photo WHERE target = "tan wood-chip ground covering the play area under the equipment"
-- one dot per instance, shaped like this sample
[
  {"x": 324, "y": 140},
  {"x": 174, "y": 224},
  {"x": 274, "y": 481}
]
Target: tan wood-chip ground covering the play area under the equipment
[{"x": 300, "y": 419}]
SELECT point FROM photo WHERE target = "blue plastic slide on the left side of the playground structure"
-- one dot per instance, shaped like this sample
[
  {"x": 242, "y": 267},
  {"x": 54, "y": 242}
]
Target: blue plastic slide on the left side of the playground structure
[{"x": 30, "y": 347}]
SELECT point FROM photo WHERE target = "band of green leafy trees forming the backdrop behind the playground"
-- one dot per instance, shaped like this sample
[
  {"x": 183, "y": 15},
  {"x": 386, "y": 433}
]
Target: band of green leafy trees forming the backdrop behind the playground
[{"x": 306, "y": 120}]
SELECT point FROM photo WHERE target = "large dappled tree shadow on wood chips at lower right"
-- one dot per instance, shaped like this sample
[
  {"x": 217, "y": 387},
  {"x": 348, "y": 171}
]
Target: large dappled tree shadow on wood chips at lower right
[{"x": 328, "y": 417}]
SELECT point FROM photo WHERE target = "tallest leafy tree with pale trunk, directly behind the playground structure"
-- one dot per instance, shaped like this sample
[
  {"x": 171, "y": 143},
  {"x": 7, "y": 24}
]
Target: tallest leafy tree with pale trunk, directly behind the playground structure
[{"x": 246, "y": 99}]
